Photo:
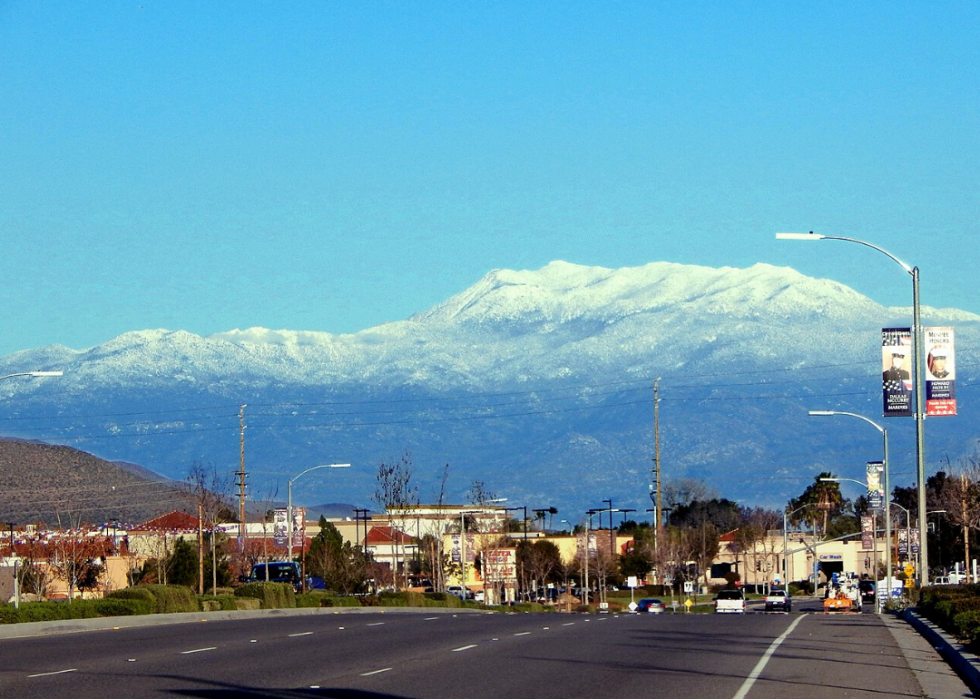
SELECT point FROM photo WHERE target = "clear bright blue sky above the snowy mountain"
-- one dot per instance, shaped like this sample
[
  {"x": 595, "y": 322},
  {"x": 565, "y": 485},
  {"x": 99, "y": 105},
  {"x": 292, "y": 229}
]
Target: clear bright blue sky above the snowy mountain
[{"x": 333, "y": 166}]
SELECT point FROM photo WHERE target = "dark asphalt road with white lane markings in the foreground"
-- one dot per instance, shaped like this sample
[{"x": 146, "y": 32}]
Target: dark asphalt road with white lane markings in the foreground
[{"x": 423, "y": 655}]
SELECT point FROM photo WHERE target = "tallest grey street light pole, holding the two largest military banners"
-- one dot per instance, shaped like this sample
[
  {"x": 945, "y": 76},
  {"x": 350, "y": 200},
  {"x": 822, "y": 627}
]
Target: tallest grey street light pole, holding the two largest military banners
[{"x": 917, "y": 378}]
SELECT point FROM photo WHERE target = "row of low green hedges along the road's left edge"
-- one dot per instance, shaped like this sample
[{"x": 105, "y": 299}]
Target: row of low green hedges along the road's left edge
[{"x": 172, "y": 599}]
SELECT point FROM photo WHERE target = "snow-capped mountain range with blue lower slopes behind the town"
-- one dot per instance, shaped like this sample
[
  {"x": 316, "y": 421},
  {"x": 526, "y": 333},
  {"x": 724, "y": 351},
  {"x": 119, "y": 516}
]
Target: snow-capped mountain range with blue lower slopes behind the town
[{"x": 536, "y": 382}]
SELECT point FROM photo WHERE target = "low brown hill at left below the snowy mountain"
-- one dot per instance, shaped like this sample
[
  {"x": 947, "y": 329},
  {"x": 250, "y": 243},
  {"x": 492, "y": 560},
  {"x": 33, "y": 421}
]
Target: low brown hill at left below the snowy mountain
[{"x": 61, "y": 486}]
